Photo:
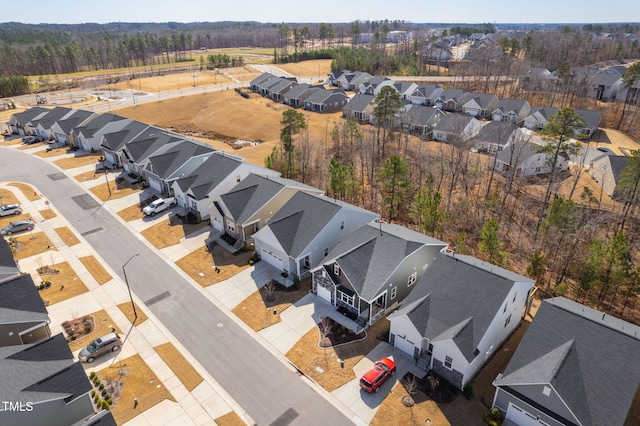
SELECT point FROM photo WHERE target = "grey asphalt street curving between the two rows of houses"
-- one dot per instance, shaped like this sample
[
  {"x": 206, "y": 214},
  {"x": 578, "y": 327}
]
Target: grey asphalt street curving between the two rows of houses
[{"x": 262, "y": 385}]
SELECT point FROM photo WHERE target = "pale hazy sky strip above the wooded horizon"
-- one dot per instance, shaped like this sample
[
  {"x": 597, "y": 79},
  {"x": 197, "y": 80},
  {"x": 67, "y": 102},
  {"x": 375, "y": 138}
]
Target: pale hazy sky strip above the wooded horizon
[{"x": 310, "y": 11}]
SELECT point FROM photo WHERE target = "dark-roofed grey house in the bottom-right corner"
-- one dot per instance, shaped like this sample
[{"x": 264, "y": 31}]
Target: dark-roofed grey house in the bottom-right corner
[{"x": 574, "y": 366}]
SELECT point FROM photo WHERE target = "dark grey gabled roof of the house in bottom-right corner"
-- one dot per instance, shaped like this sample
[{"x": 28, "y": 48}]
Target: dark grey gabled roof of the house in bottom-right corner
[{"x": 589, "y": 358}]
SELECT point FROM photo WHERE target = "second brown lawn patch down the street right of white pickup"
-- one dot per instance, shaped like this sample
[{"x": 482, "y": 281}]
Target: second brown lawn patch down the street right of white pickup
[{"x": 202, "y": 262}]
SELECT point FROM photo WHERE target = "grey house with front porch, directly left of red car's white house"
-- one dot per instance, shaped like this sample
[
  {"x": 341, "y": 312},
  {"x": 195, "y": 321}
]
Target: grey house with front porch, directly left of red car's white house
[{"x": 373, "y": 269}]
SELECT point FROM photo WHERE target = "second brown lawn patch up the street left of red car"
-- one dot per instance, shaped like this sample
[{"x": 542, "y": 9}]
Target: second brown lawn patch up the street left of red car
[{"x": 257, "y": 312}]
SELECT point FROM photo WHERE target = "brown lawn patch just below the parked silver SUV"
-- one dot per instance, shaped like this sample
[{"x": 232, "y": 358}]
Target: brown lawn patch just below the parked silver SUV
[{"x": 140, "y": 382}]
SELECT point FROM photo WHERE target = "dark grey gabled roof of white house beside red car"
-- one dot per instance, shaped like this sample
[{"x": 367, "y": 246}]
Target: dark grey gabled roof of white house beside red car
[{"x": 455, "y": 289}]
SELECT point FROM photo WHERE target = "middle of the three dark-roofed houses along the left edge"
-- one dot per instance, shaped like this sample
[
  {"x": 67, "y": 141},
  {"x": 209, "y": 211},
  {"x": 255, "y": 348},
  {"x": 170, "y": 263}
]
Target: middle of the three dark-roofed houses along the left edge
[{"x": 23, "y": 316}]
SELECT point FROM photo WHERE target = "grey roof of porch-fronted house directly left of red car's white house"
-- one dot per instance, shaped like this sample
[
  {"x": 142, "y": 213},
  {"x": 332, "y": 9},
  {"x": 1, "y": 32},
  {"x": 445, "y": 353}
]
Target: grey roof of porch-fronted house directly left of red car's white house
[{"x": 370, "y": 254}]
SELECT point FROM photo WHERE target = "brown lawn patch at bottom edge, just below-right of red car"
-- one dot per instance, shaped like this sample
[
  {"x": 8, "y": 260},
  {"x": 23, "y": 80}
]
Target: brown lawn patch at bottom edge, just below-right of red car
[{"x": 393, "y": 411}]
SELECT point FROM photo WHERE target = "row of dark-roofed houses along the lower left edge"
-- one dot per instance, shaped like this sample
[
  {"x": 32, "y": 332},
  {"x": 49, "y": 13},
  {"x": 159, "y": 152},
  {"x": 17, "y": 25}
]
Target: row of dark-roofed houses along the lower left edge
[{"x": 41, "y": 382}]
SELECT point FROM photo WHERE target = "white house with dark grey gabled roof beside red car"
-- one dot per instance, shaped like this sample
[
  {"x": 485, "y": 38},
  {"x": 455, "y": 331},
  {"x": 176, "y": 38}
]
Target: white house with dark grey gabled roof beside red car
[{"x": 458, "y": 315}]
